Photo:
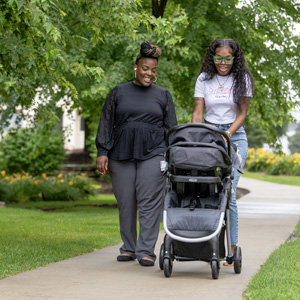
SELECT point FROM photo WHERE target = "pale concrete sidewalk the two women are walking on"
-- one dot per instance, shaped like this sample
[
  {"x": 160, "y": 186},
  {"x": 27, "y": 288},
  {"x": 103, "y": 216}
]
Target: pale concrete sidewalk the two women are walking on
[{"x": 268, "y": 215}]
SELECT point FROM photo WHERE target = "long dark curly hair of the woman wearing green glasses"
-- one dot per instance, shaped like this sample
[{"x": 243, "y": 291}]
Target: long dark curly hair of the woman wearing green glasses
[{"x": 239, "y": 70}]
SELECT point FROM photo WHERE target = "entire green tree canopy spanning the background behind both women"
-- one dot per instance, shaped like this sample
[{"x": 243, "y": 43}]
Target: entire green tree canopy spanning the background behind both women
[{"x": 87, "y": 47}]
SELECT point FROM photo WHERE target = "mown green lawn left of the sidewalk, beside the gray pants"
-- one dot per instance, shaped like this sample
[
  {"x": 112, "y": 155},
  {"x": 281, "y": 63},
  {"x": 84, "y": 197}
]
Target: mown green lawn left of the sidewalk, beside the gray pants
[{"x": 30, "y": 238}]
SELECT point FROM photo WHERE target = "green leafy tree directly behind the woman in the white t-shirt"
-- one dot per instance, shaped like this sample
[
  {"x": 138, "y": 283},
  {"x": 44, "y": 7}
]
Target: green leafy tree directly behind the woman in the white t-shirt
[{"x": 264, "y": 29}]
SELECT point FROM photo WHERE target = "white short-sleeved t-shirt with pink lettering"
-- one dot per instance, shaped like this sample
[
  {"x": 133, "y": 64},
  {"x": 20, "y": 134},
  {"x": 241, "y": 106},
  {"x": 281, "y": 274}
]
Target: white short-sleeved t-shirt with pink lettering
[{"x": 218, "y": 98}]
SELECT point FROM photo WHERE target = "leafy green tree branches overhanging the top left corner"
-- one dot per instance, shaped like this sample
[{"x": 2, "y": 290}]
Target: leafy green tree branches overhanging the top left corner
[{"x": 41, "y": 42}]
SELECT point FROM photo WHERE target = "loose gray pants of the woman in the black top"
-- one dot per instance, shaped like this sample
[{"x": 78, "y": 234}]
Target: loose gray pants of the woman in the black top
[{"x": 138, "y": 185}]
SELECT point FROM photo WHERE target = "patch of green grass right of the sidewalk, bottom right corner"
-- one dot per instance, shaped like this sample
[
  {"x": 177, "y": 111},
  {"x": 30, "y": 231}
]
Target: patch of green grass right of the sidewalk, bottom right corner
[{"x": 279, "y": 277}]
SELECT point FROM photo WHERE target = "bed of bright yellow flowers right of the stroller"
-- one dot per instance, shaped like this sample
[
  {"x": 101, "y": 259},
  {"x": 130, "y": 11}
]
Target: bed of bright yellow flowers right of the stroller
[{"x": 259, "y": 160}]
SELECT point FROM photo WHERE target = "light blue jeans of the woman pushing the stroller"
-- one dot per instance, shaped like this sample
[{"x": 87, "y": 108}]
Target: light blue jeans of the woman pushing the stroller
[{"x": 239, "y": 138}]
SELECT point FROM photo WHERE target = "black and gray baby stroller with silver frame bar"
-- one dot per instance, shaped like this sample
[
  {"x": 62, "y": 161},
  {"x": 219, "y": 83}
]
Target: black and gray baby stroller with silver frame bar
[{"x": 196, "y": 205}]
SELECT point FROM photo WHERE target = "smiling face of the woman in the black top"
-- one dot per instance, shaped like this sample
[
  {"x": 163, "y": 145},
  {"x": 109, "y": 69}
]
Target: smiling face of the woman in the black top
[{"x": 145, "y": 71}]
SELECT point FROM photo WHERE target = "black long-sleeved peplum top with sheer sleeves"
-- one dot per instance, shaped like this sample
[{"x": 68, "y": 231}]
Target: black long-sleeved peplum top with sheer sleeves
[{"x": 134, "y": 121}]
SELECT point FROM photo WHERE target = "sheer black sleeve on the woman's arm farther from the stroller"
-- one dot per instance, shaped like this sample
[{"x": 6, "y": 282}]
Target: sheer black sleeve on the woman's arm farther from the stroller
[{"x": 105, "y": 135}]
